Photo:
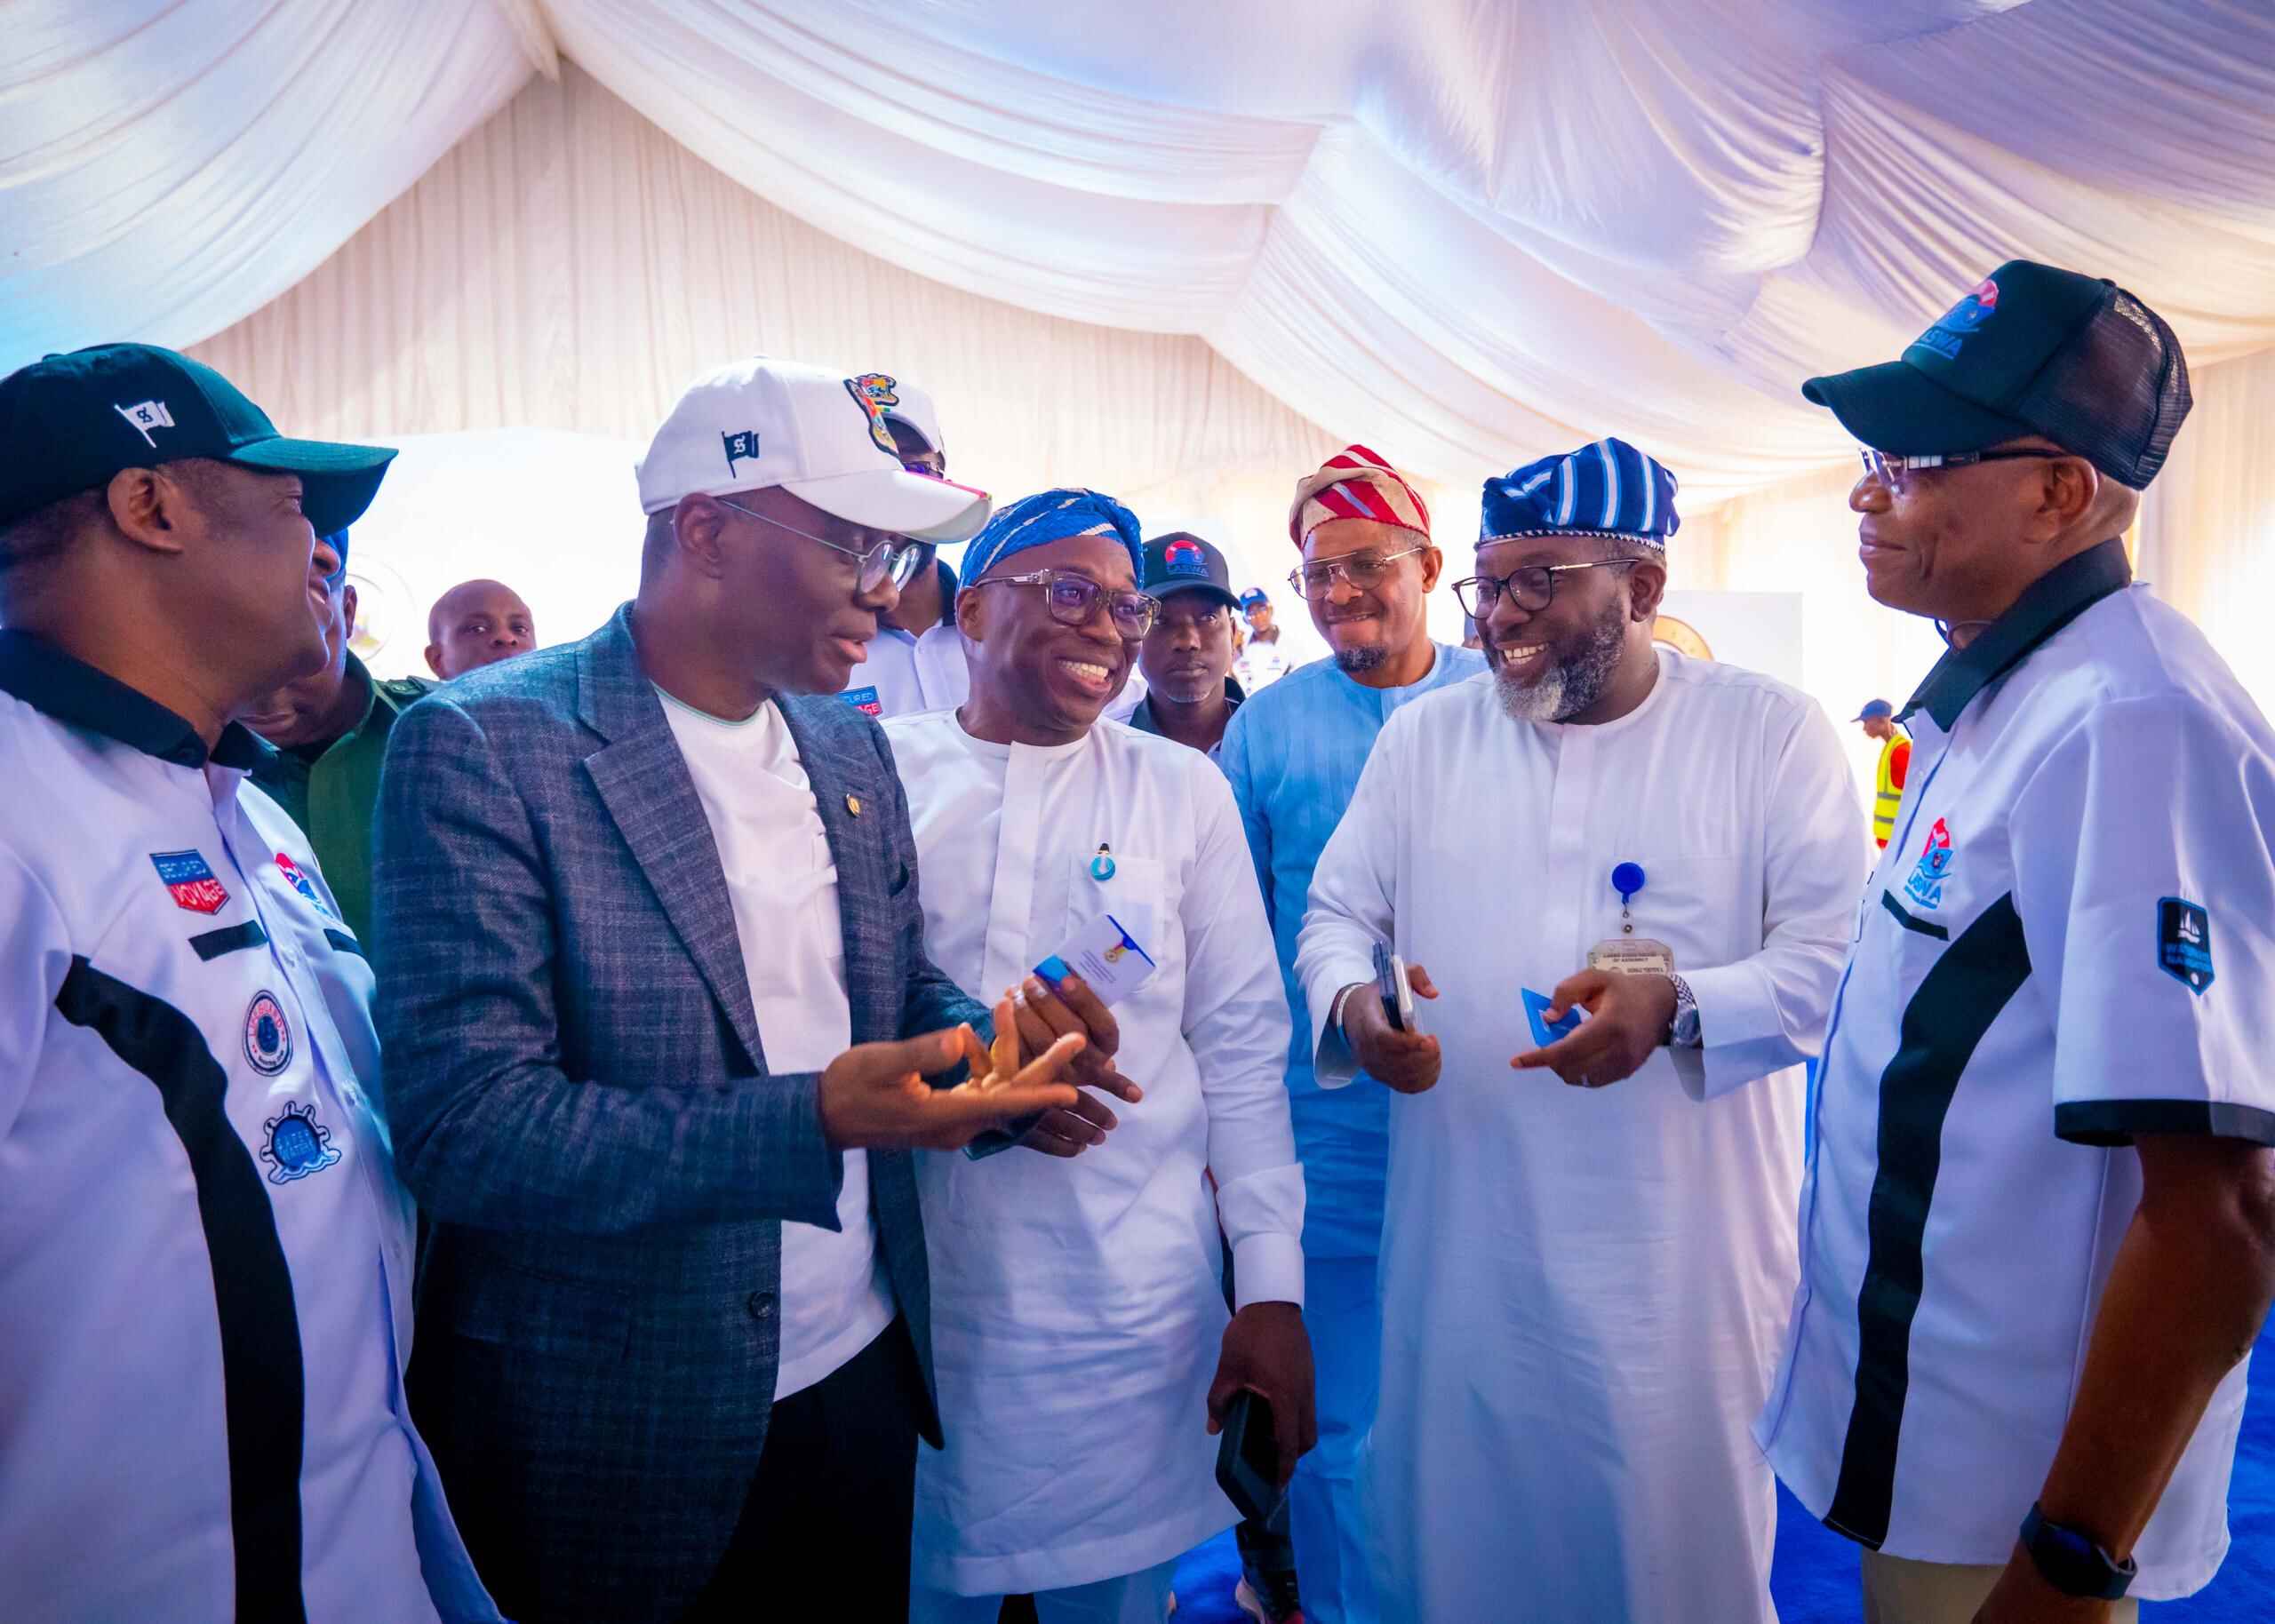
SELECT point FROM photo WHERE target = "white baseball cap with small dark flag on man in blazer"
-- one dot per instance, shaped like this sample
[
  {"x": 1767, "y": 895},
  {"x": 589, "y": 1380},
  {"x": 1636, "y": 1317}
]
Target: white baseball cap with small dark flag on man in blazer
[{"x": 816, "y": 433}]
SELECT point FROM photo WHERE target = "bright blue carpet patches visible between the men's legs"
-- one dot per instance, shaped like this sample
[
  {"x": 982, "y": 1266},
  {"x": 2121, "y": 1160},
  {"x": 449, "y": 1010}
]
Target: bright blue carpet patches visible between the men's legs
[{"x": 1814, "y": 1575}]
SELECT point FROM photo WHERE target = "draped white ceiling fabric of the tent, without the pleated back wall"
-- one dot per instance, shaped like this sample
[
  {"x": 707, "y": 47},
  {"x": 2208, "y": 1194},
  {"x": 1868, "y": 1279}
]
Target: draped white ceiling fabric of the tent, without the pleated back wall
[{"x": 1471, "y": 229}]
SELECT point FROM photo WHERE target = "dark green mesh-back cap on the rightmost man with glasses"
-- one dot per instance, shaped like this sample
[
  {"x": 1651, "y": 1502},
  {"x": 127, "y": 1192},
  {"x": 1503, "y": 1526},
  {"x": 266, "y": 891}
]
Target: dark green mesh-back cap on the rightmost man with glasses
[{"x": 2026, "y": 351}]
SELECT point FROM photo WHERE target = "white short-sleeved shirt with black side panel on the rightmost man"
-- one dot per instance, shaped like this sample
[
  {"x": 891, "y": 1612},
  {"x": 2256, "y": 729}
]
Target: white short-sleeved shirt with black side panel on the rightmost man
[{"x": 2065, "y": 945}]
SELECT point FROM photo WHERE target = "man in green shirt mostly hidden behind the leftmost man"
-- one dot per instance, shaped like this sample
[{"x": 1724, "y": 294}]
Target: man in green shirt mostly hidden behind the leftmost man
[{"x": 331, "y": 738}]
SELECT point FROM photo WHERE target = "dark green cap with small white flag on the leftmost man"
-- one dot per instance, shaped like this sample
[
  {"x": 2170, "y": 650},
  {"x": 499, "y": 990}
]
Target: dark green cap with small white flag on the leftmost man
[{"x": 72, "y": 422}]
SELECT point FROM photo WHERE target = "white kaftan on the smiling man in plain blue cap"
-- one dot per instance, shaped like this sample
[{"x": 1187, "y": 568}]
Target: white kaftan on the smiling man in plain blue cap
[{"x": 1077, "y": 1304}]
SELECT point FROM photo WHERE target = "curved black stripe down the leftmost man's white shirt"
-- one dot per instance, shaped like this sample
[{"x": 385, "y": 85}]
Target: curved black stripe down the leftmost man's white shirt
[{"x": 263, "y": 1386}]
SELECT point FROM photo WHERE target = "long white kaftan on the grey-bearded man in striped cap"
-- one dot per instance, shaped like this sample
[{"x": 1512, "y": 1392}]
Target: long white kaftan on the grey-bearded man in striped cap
[{"x": 1585, "y": 1291}]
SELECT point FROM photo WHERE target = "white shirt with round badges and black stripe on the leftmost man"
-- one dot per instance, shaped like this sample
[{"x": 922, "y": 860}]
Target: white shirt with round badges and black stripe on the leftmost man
[{"x": 204, "y": 1254}]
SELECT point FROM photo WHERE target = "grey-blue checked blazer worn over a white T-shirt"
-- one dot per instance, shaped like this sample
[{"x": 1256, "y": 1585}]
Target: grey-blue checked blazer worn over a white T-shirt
[{"x": 579, "y": 1100}]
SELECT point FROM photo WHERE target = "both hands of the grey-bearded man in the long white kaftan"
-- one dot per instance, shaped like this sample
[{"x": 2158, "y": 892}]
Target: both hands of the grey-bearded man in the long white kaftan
[{"x": 1628, "y": 1022}]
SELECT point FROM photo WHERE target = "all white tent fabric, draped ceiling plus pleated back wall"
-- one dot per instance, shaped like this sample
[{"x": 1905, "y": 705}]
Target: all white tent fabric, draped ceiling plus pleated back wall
[{"x": 1175, "y": 249}]
